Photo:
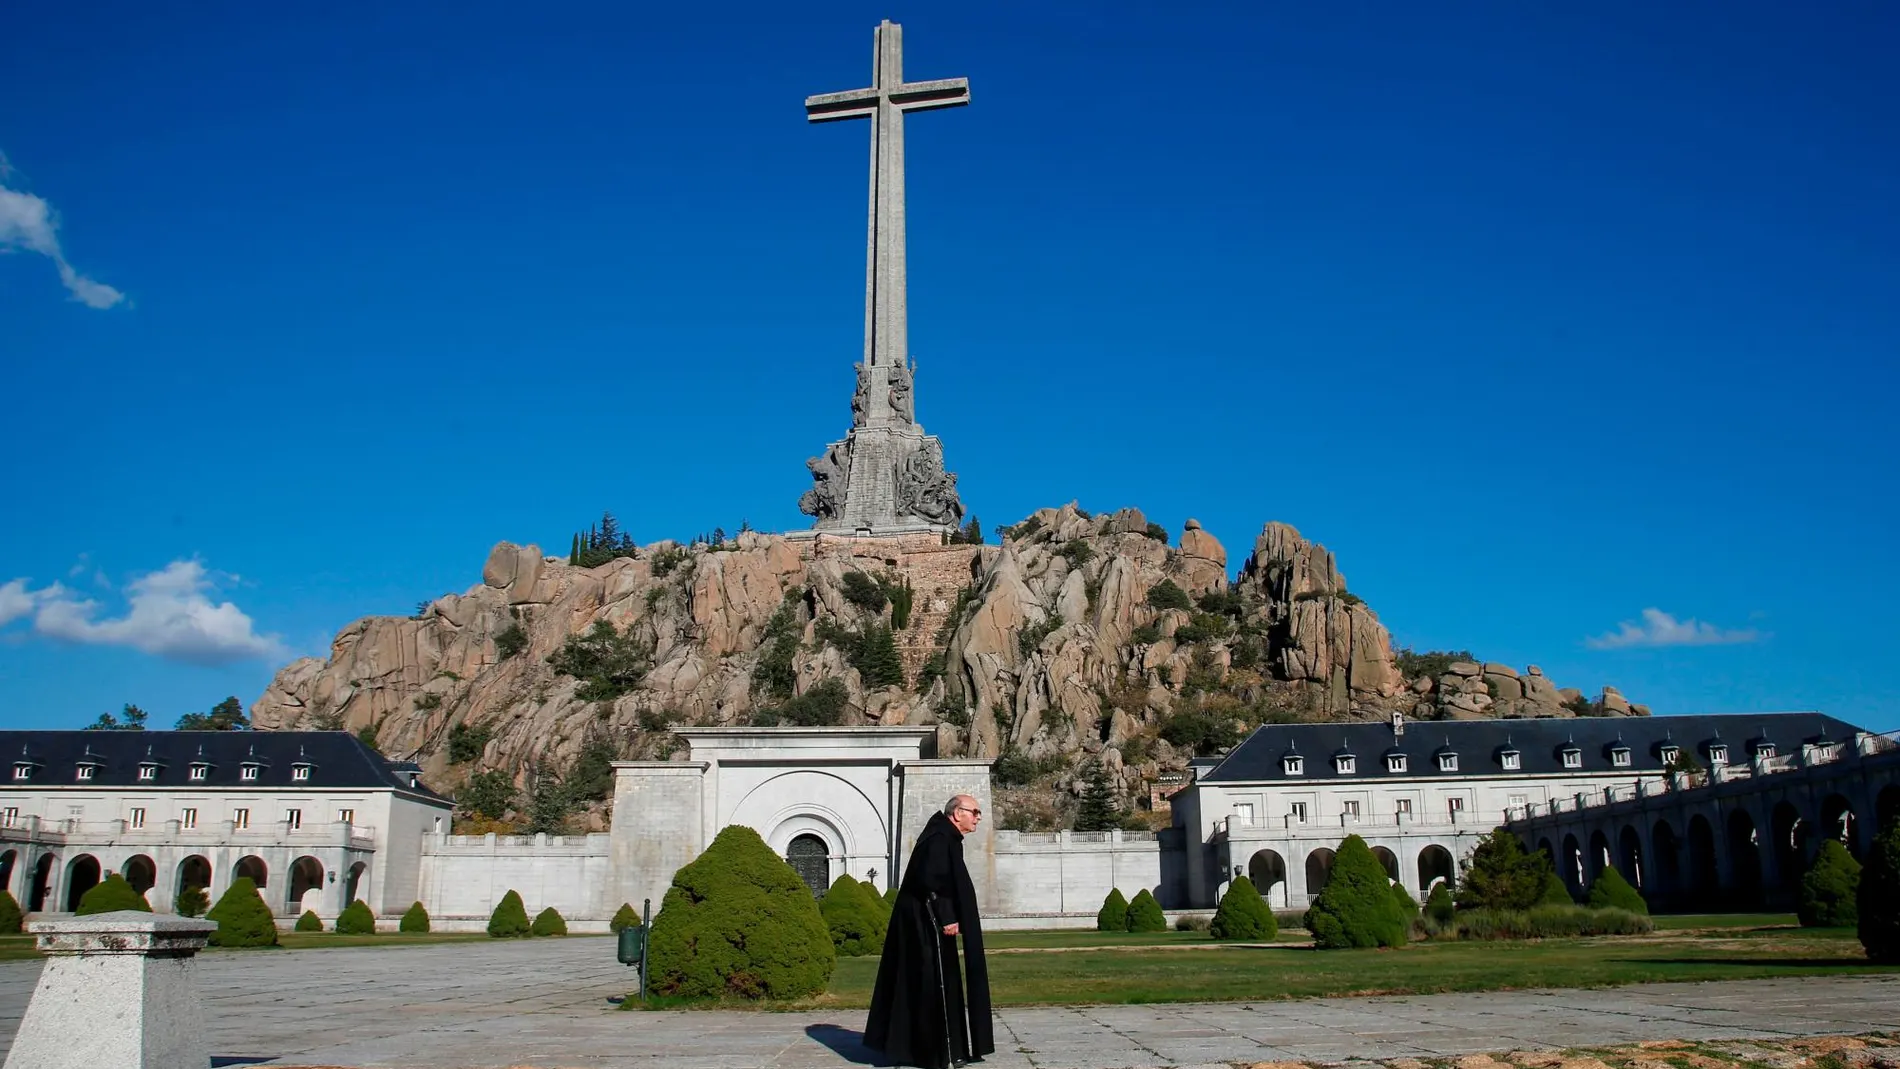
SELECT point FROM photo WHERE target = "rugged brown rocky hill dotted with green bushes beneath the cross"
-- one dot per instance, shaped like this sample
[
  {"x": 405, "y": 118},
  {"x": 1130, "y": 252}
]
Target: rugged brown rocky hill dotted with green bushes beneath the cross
[{"x": 1076, "y": 639}]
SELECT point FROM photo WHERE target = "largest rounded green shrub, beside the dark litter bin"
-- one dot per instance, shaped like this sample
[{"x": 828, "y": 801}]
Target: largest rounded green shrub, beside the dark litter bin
[{"x": 738, "y": 922}]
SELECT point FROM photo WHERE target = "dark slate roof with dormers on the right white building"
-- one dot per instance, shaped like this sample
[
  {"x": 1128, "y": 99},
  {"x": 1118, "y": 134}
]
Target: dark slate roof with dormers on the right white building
[{"x": 1540, "y": 745}]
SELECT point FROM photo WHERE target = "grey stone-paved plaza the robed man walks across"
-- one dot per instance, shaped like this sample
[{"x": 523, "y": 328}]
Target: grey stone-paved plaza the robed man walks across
[{"x": 544, "y": 1003}]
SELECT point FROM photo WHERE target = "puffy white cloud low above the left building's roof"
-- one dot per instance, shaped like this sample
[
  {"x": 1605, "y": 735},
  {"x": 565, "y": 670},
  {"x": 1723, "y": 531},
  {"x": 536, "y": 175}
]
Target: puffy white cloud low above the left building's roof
[{"x": 168, "y": 614}]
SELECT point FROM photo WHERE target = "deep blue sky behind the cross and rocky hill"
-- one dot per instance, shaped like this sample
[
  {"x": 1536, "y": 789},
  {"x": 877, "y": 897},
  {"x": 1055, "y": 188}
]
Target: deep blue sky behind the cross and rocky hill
[{"x": 1555, "y": 326}]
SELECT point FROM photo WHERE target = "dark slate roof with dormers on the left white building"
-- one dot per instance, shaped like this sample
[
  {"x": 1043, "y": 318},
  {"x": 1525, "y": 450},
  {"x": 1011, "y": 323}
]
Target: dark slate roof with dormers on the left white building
[{"x": 335, "y": 760}]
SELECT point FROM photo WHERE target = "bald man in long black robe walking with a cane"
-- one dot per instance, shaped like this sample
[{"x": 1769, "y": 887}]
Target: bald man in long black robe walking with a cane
[{"x": 936, "y": 905}]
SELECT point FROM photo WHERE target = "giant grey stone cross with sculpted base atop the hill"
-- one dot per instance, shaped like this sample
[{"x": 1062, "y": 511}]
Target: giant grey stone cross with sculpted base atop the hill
[{"x": 886, "y": 476}]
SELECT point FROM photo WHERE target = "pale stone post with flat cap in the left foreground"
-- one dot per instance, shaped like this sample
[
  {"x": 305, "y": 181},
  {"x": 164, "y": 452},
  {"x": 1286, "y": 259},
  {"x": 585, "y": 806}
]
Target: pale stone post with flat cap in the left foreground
[{"x": 117, "y": 990}]
